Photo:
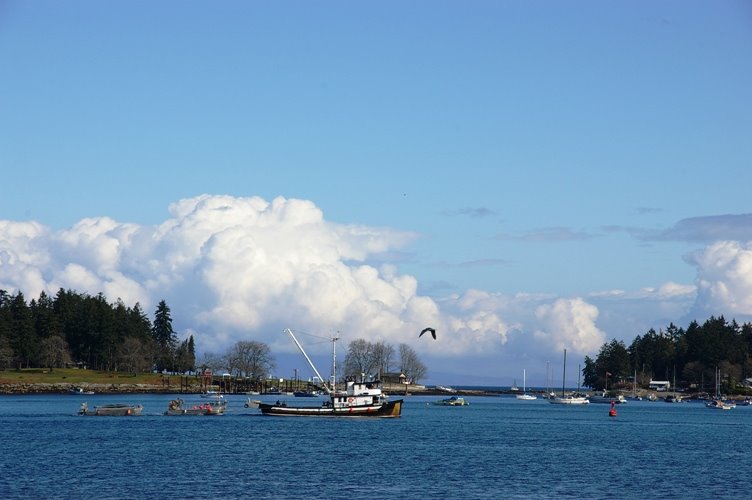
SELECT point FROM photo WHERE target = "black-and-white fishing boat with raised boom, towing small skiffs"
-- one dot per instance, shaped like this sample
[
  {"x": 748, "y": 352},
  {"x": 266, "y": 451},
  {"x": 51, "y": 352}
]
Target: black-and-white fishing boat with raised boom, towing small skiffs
[{"x": 361, "y": 398}]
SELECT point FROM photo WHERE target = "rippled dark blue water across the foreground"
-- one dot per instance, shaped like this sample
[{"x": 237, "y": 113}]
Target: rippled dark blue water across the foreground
[{"x": 498, "y": 447}]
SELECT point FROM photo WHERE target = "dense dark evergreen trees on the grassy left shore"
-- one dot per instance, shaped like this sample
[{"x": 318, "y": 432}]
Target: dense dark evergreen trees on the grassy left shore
[{"x": 73, "y": 328}]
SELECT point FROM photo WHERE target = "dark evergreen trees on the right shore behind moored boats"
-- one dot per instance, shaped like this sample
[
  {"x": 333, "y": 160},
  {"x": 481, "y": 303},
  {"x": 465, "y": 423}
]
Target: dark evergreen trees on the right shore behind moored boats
[{"x": 691, "y": 355}]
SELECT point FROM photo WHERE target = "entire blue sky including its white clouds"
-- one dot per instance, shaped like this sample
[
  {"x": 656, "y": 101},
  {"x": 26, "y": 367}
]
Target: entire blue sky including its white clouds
[{"x": 524, "y": 176}]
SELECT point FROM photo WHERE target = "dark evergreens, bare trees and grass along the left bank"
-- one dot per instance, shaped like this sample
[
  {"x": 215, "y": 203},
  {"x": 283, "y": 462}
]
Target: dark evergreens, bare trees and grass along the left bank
[{"x": 78, "y": 330}]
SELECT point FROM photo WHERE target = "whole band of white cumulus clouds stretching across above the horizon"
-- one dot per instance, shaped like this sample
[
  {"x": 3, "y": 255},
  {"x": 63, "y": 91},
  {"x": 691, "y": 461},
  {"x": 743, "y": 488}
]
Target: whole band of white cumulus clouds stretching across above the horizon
[{"x": 244, "y": 268}]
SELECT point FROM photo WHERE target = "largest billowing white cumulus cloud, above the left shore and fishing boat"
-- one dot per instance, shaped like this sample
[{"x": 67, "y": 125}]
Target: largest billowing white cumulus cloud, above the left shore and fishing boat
[{"x": 238, "y": 268}]
